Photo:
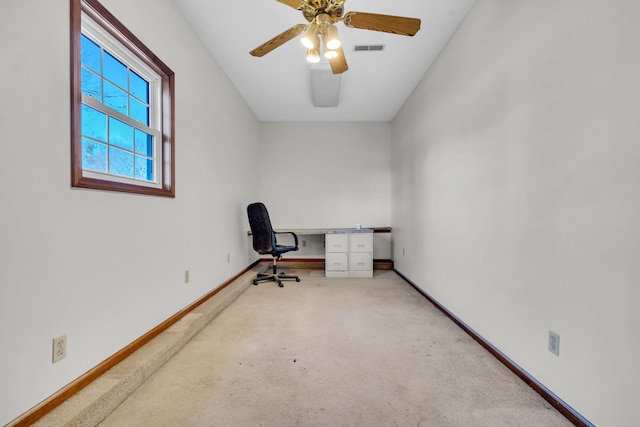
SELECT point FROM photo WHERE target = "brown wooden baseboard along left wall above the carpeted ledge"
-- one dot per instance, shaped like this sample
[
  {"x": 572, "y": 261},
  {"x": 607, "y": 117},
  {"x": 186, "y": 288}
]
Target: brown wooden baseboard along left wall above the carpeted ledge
[{"x": 69, "y": 390}]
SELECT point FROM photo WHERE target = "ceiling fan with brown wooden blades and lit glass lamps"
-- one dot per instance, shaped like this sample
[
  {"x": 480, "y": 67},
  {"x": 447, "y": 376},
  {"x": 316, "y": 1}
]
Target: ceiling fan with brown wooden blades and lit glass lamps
[{"x": 322, "y": 16}]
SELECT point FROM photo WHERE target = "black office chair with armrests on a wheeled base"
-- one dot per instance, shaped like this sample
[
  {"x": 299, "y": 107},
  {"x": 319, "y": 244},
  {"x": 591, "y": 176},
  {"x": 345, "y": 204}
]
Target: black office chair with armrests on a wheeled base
[{"x": 265, "y": 242}]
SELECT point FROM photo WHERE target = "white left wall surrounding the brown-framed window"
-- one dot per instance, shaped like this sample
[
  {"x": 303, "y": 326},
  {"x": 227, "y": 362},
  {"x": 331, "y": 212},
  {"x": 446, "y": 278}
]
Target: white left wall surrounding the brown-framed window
[{"x": 105, "y": 267}]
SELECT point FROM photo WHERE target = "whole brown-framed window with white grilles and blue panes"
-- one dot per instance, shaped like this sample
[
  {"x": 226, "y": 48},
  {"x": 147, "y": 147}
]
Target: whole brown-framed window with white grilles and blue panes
[{"x": 122, "y": 121}]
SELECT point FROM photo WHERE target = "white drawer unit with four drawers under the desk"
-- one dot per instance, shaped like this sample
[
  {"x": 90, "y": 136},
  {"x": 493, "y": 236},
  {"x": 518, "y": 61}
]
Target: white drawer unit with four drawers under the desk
[{"x": 349, "y": 254}]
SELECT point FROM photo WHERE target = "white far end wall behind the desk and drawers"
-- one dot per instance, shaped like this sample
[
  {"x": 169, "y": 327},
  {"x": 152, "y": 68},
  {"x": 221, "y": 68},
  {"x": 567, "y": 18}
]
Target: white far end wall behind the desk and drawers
[{"x": 336, "y": 174}]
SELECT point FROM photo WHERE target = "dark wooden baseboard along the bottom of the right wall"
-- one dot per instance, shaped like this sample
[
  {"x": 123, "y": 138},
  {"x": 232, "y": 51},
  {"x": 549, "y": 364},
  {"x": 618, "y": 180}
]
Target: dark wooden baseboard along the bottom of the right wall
[{"x": 556, "y": 402}]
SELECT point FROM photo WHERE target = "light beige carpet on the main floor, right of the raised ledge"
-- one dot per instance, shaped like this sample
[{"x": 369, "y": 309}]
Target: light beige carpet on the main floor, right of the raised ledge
[{"x": 333, "y": 352}]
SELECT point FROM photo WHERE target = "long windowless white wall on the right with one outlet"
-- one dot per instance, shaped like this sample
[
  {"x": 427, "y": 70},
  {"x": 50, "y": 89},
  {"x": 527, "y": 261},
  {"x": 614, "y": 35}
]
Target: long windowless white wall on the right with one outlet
[{"x": 515, "y": 191}]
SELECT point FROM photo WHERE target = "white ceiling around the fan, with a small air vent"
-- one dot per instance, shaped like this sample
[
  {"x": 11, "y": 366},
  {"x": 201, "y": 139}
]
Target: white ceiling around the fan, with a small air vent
[{"x": 277, "y": 86}]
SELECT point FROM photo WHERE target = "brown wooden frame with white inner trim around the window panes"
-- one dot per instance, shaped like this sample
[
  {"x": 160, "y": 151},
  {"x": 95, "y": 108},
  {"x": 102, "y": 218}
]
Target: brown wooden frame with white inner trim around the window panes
[{"x": 166, "y": 160}]
